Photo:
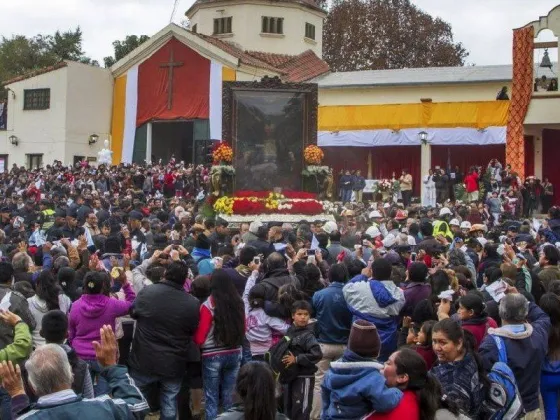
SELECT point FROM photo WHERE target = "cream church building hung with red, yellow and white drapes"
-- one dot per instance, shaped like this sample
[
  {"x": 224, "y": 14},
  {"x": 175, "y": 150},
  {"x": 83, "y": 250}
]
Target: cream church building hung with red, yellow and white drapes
[{"x": 165, "y": 98}]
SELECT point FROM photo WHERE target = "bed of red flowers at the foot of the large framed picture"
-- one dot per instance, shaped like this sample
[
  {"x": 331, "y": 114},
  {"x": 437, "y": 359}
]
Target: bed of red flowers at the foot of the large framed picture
[{"x": 273, "y": 203}]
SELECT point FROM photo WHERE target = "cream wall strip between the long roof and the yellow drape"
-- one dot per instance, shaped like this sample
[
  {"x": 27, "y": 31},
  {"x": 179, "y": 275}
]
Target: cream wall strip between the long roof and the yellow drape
[{"x": 465, "y": 92}]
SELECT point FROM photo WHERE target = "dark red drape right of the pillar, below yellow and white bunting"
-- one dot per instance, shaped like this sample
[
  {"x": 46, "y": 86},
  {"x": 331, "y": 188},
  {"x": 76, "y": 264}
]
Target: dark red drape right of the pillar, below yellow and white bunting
[{"x": 467, "y": 156}]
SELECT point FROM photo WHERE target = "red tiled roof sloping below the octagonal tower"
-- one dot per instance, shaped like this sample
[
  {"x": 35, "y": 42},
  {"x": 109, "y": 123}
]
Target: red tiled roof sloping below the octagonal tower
[{"x": 292, "y": 68}]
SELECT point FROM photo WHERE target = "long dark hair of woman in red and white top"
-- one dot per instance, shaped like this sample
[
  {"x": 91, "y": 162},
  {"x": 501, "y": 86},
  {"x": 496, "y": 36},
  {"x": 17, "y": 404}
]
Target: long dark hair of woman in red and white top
[{"x": 229, "y": 311}]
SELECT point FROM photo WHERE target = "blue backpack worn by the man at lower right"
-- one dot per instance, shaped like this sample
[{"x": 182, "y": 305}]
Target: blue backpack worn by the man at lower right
[{"x": 503, "y": 401}]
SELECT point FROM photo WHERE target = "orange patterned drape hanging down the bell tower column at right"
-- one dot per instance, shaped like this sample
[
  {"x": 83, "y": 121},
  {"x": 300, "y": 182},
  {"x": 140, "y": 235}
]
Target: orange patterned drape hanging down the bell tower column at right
[{"x": 521, "y": 92}]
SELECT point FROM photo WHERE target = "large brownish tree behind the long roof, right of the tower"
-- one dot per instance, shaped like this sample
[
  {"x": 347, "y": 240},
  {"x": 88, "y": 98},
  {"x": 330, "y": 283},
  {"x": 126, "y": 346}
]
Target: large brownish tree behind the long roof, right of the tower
[{"x": 387, "y": 34}]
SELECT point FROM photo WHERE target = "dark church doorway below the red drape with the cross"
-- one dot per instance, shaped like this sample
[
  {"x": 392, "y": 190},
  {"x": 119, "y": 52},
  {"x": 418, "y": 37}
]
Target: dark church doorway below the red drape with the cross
[{"x": 172, "y": 139}]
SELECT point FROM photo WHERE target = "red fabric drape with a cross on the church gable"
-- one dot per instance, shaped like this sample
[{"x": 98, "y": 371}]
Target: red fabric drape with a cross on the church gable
[{"x": 191, "y": 85}]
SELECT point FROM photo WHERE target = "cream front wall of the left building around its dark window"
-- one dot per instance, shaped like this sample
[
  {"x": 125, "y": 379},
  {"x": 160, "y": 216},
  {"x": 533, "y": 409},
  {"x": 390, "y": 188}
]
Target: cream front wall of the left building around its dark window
[{"x": 37, "y": 131}]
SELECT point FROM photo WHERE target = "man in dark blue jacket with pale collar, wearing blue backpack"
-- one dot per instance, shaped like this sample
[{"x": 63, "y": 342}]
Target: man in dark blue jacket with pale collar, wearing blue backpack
[{"x": 524, "y": 331}]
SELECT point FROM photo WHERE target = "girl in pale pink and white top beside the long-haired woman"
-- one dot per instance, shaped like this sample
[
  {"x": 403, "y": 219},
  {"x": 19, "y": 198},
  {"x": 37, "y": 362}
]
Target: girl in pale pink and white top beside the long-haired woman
[{"x": 261, "y": 328}]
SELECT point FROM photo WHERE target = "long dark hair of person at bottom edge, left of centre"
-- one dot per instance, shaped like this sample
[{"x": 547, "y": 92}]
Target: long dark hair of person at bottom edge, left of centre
[{"x": 256, "y": 387}]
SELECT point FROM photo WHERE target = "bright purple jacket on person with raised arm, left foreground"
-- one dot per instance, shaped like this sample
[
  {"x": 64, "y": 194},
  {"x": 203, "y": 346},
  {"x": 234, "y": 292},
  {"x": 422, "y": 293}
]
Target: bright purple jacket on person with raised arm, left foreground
[{"x": 89, "y": 313}]
